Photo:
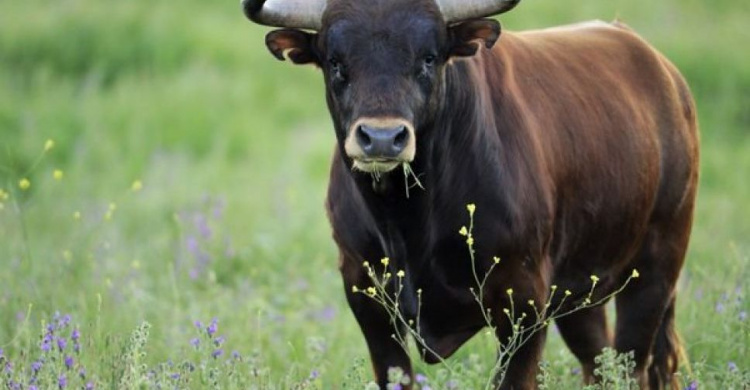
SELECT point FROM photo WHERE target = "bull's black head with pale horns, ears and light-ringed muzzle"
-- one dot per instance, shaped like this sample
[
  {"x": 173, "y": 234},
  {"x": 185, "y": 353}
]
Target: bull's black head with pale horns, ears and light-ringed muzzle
[{"x": 383, "y": 62}]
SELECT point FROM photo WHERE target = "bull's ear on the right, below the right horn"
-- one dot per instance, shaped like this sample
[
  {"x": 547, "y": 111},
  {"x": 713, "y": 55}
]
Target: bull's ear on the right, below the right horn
[{"x": 466, "y": 37}]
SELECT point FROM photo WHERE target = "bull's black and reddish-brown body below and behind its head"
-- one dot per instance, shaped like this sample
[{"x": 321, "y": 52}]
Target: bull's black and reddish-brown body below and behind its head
[{"x": 579, "y": 148}]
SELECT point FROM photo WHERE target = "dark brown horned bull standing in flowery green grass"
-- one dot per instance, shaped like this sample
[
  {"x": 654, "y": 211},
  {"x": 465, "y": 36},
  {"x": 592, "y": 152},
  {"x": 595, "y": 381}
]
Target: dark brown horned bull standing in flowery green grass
[{"x": 577, "y": 144}]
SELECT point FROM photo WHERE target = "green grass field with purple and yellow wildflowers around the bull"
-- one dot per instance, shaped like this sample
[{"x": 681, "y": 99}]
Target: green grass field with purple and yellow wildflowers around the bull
[{"x": 231, "y": 149}]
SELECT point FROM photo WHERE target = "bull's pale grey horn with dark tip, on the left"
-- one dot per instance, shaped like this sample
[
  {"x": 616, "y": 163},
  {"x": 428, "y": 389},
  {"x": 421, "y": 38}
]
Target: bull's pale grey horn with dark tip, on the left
[{"x": 305, "y": 14}]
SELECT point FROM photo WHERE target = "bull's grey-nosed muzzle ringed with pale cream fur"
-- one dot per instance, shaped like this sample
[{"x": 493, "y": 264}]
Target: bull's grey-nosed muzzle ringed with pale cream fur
[{"x": 380, "y": 144}]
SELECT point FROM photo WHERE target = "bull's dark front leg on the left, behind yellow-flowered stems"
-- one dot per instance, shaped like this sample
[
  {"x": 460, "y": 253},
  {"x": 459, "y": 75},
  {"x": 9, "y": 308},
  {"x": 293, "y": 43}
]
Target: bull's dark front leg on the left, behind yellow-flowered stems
[{"x": 376, "y": 325}]
